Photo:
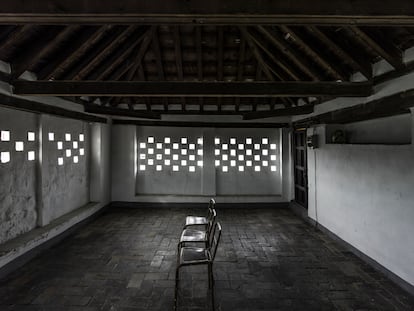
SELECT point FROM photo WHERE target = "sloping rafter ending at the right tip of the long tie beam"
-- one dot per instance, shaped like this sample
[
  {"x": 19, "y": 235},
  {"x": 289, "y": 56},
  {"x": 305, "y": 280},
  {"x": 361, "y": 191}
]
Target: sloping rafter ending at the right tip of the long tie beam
[{"x": 365, "y": 69}]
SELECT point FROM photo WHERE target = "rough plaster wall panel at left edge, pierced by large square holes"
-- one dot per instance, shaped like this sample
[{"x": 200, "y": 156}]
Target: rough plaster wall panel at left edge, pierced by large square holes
[{"x": 18, "y": 213}]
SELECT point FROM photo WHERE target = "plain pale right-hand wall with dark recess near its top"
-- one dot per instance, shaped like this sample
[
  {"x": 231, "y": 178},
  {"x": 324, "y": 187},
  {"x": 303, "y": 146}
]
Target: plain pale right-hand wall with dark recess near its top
[{"x": 364, "y": 193}]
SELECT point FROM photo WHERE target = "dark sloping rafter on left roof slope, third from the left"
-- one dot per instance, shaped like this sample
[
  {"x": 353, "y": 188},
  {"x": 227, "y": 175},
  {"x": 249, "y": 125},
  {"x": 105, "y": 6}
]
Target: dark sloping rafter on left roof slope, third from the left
[{"x": 101, "y": 54}]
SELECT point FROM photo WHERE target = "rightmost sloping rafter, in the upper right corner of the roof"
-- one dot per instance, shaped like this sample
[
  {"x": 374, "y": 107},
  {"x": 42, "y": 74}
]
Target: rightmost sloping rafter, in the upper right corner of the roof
[{"x": 392, "y": 55}]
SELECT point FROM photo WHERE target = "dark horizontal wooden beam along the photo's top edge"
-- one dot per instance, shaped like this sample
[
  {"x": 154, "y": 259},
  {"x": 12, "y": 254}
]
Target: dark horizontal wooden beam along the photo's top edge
[{"x": 368, "y": 12}]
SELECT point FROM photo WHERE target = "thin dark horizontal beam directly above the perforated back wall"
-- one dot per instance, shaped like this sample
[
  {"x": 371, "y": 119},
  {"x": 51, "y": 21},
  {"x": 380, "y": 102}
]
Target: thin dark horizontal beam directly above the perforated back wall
[{"x": 201, "y": 124}]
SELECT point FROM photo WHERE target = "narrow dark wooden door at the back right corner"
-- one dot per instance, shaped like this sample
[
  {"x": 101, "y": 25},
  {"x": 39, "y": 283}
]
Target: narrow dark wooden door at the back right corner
[{"x": 300, "y": 167}]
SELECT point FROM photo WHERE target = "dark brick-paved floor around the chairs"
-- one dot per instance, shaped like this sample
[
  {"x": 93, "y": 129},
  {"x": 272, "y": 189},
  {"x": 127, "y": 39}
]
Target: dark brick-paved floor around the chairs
[{"x": 268, "y": 260}]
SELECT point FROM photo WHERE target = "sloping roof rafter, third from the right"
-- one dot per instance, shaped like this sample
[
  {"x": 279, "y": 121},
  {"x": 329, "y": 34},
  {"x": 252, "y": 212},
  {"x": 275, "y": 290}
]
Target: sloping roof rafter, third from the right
[{"x": 314, "y": 54}]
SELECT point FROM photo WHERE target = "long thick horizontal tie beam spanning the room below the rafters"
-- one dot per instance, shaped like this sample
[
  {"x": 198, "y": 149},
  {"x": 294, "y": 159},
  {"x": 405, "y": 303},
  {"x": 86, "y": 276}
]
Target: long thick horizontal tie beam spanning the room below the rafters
[{"x": 192, "y": 89}]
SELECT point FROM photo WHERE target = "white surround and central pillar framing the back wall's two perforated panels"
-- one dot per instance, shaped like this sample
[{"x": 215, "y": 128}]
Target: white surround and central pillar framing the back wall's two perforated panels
[{"x": 124, "y": 181}]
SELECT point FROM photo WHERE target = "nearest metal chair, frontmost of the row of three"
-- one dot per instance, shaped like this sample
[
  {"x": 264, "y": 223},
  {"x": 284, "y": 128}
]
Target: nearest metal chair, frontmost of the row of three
[{"x": 191, "y": 256}]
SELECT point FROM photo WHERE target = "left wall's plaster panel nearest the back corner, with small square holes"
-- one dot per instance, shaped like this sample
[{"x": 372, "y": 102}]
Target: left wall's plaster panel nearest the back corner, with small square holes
[{"x": 64, "y": 187}]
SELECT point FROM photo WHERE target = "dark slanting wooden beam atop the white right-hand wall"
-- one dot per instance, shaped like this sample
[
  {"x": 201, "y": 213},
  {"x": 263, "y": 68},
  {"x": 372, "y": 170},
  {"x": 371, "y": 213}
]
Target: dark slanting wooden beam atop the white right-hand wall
[{"x": 387, "y": 106}]
